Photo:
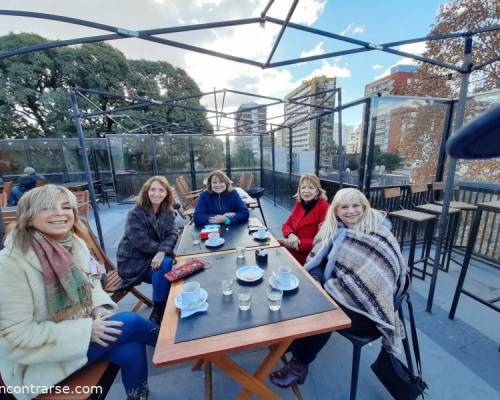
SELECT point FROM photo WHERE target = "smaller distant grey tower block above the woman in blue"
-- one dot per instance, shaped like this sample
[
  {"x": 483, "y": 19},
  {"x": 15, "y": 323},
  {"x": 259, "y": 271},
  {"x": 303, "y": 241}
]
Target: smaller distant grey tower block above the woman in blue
[{"x": 250, "y": 120}]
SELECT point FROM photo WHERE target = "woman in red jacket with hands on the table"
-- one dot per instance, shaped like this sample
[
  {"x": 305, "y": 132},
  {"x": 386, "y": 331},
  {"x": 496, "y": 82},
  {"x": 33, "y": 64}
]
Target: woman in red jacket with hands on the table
[{"x": 303, "y": 223}]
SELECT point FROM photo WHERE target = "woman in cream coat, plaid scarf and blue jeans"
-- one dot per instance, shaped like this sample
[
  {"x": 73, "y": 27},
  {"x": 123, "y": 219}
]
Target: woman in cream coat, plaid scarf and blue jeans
[{"x": 55, "y": 317}]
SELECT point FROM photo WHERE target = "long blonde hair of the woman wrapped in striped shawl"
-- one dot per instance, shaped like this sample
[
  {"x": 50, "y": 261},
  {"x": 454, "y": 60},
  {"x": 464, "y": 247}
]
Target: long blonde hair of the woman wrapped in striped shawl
[{"x": 369, "y": 221}]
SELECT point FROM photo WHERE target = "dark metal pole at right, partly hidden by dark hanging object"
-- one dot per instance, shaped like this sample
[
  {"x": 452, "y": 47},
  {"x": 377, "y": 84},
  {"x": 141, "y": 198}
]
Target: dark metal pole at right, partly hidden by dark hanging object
[{"x": 443, "y": 223}]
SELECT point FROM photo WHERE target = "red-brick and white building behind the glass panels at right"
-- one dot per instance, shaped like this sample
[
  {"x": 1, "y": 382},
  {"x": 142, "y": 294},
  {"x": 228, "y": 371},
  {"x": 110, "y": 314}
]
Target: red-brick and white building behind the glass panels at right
[{"x": 387, "y": 133}]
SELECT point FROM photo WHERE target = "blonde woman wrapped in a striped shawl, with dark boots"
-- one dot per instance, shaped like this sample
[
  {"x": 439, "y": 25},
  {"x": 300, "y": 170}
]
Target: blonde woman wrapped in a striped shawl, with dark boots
[{"x": 357, "y": 260}]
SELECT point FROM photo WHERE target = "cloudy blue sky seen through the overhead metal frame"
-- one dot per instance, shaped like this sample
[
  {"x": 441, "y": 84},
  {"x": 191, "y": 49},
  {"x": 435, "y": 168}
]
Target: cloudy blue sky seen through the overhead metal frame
[{"x": 373, "y": 21}]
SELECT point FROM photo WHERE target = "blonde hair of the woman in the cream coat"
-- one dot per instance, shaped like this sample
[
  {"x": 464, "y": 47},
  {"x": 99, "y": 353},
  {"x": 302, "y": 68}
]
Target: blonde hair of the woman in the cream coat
[{"x": 35, "y": 201}]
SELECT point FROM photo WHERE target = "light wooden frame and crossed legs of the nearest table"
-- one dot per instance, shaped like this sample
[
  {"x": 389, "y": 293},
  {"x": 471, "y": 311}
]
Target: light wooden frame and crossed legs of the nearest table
[{"x": 277, "y": 337}]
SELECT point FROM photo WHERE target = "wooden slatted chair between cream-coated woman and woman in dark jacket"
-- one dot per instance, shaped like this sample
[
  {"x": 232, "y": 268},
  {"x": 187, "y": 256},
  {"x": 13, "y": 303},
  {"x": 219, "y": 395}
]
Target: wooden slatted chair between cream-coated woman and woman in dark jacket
[{"x": 113, "y": 284}]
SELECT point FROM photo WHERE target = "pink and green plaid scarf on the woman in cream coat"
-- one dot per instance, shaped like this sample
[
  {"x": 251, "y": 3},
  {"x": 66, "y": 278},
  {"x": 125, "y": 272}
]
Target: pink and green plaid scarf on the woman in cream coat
[{"x": 67, "y": 290}]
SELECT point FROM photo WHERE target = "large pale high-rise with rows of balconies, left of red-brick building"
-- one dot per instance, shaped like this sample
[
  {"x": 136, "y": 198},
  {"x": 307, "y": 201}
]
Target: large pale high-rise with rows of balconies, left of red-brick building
[{"x": 316, "y": 91}]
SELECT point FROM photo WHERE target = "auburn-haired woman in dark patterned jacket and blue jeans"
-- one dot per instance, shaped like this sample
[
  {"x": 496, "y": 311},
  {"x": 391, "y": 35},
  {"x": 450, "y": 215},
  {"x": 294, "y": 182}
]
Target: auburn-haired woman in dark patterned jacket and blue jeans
[{"x": 146, "y": 250}]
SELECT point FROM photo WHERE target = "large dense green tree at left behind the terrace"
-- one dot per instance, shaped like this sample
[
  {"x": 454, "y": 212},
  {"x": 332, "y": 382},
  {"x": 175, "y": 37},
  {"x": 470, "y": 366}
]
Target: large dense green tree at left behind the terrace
[{"x": 34, "y": 100}]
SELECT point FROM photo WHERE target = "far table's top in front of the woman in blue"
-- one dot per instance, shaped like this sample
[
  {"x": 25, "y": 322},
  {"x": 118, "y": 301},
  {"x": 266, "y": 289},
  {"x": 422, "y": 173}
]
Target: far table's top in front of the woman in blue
[{"x": 235, "y": 235}]
